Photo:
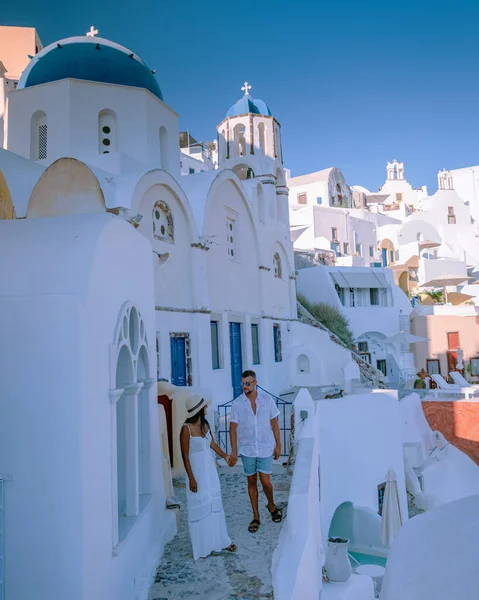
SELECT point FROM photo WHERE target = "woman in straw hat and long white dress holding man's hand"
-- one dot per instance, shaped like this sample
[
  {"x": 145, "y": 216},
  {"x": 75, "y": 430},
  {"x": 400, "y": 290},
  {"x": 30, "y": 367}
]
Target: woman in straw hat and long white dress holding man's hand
[{"x": 206, "y": 517}]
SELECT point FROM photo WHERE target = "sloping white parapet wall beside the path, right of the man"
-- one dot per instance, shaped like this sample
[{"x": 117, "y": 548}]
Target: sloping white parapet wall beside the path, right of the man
[{"x": 299, "y": 556}]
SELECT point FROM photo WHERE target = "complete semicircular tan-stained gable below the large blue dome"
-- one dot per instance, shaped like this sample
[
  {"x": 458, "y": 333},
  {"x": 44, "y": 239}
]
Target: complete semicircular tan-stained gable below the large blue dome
[{"x": 67, "y": 187}]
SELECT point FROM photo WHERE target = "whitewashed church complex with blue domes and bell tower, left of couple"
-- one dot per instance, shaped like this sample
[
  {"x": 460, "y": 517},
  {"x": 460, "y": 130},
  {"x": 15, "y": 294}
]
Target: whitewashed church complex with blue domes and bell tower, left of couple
[{"x": 116, "y": 272}]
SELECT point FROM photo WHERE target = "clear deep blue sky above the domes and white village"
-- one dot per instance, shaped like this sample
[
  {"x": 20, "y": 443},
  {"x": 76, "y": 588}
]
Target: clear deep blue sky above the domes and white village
[{"x": 353, "y": 84}]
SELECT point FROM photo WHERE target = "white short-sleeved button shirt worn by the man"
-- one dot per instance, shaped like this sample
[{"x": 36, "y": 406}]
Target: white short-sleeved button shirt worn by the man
[{"x": 255, "y": 433}]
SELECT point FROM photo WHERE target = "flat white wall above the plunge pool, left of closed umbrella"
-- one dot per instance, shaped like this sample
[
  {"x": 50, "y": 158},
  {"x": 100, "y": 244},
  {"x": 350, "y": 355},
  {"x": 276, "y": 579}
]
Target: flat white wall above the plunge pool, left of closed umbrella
[{"x": 359, "y": 441}]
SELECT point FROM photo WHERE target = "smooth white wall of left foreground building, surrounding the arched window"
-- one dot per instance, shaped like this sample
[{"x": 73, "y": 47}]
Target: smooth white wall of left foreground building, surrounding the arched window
[{"x": 60, "y": 308}]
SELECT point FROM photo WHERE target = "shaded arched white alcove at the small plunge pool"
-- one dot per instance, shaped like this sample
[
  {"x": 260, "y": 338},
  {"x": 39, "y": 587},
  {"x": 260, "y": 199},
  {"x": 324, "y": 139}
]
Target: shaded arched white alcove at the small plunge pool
[{"x": 361, "y": 526}]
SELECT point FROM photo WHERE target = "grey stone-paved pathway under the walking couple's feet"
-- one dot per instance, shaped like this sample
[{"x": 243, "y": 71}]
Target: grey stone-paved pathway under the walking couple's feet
[{"x": 245, "y": 574}]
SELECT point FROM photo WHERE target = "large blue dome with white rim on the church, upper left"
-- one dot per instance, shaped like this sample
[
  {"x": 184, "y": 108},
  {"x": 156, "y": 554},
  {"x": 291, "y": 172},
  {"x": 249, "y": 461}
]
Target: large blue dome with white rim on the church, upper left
[{"x": 89, "y": 59}]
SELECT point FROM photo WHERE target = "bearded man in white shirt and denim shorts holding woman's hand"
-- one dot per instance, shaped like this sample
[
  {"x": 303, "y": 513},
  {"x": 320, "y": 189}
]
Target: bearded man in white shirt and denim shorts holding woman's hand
[{"x": 255, "y": 437}]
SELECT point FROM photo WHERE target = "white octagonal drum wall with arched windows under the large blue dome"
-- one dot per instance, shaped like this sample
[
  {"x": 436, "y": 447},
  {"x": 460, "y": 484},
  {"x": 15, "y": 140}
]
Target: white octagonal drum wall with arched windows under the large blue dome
[{"x": 72, "y": 108}]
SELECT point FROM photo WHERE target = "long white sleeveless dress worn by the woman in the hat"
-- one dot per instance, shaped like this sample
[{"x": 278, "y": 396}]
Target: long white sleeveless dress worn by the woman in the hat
[{"x": 206, "y": 517}]
